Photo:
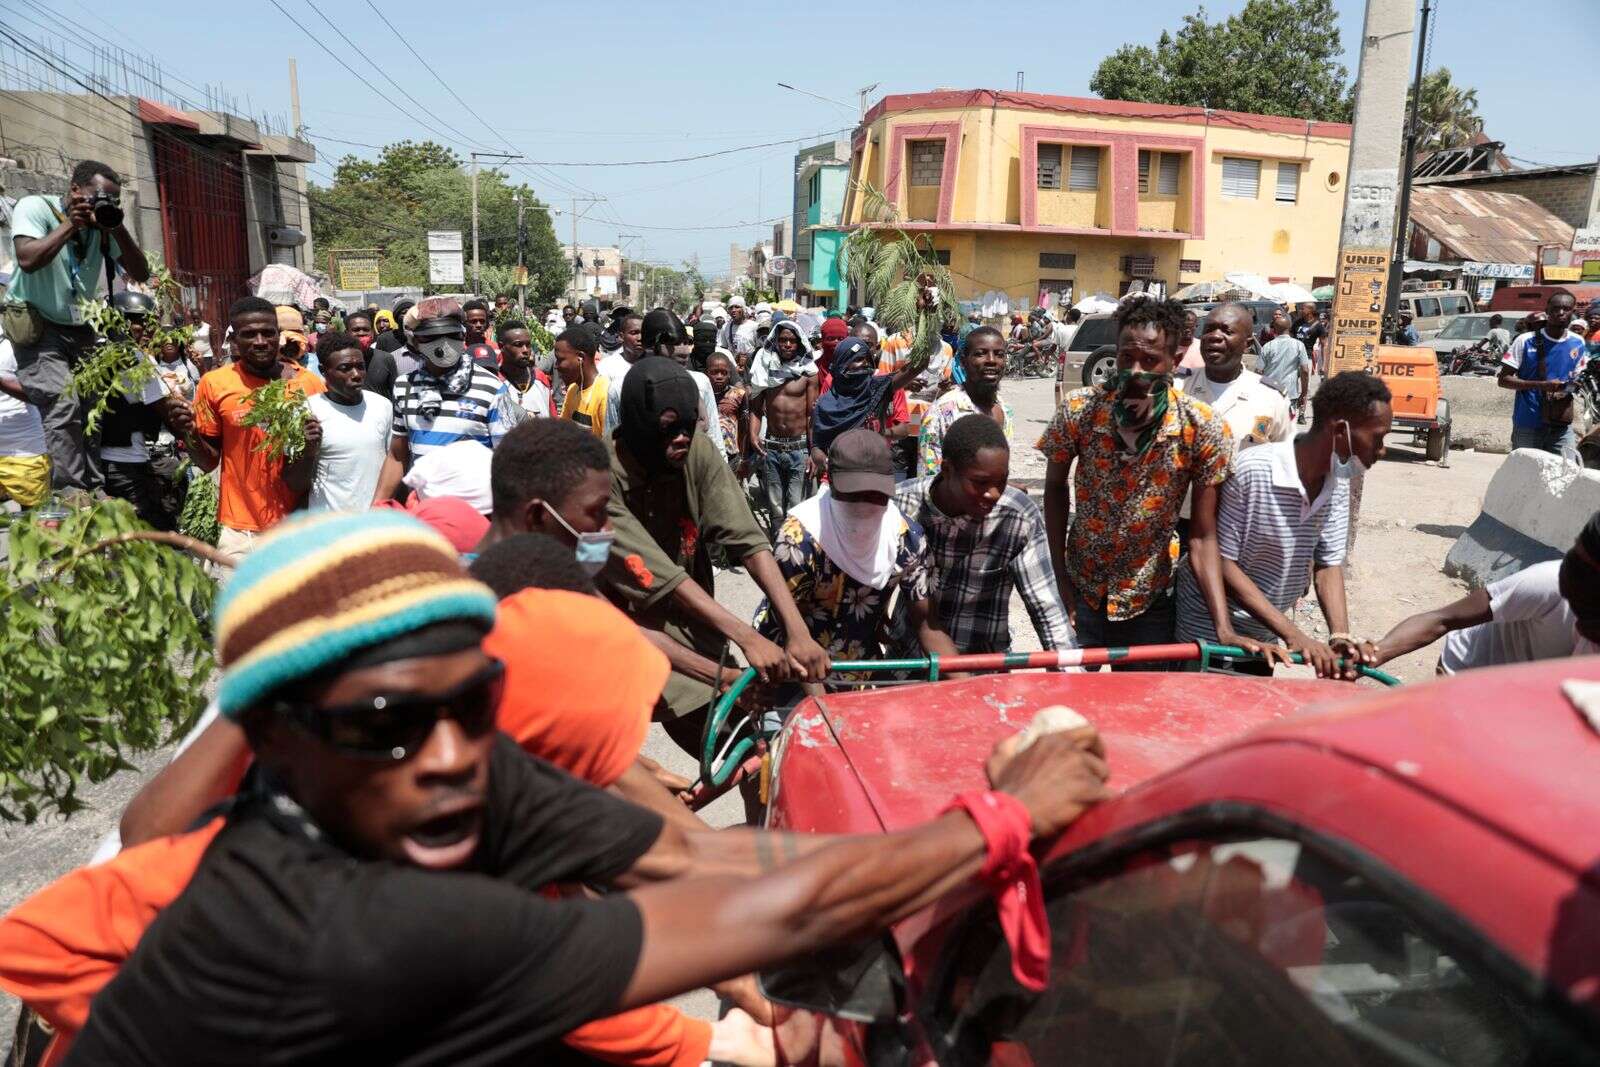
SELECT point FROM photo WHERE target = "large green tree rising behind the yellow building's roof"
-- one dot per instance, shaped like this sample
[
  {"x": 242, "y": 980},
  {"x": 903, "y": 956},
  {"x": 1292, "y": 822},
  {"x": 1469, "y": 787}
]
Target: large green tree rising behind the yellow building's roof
[{"x": 1273, "y": 58}]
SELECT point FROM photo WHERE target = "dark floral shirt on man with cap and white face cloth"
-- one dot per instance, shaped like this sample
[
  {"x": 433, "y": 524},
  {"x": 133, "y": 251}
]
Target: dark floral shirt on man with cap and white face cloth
[{"x": 844, "y": 617}]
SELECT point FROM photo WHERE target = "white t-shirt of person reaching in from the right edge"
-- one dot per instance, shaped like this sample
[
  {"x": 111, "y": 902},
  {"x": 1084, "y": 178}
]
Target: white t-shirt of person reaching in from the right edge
[{"x": 1530, "y": 621}]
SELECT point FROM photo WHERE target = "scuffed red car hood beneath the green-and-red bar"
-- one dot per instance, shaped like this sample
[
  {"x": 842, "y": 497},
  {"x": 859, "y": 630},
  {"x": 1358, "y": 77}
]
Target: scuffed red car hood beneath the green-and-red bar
[{"x": 914, "y": 748}]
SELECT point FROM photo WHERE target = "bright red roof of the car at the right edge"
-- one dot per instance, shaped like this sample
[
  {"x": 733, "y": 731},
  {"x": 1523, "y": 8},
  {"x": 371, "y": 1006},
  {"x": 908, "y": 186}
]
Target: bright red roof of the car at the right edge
[{"x": 1505, "y": 745}]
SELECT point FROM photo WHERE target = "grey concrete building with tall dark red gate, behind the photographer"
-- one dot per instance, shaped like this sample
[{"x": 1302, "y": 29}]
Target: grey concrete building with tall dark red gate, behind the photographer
[{"x": 215, "y": 194}]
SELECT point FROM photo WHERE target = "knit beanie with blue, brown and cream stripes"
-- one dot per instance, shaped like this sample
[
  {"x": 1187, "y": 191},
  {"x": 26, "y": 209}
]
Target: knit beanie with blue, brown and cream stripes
[{"x": 327, "y": 585}]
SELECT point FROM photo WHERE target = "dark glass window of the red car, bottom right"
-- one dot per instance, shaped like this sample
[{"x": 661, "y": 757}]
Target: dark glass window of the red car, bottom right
[{"x": 1230, "y": 953}]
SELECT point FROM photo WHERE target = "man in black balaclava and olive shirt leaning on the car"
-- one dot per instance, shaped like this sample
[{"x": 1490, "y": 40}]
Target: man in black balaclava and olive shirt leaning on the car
[{"x": 673, "y": 497}]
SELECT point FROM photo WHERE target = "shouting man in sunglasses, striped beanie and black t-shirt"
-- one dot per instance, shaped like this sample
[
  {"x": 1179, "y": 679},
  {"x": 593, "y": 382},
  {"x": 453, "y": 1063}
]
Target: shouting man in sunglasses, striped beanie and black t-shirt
[{"x": 351, "y": 652}]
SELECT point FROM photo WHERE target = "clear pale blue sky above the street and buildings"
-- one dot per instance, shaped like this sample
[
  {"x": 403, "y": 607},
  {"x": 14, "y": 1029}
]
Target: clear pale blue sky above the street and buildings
[{"x": 649, "y": 81}]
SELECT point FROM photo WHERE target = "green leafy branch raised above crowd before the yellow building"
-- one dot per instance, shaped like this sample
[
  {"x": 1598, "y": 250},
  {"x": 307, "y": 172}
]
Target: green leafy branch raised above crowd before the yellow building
[{"x": 902, "y": 276}]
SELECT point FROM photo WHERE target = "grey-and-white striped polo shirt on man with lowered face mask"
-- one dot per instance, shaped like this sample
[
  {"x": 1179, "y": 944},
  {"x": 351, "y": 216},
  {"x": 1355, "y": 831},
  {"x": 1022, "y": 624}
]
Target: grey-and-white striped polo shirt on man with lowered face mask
[{"x": 1268, "y": 527}]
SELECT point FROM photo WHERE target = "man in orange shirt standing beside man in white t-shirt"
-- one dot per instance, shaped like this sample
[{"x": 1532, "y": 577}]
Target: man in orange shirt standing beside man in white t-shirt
[{"x": 255, "y": 495}]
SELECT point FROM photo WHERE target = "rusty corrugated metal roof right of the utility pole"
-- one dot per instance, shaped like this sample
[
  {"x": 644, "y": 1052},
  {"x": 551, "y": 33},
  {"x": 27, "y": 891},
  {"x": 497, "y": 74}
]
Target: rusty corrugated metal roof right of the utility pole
[{"x": 1487, "y": 226}]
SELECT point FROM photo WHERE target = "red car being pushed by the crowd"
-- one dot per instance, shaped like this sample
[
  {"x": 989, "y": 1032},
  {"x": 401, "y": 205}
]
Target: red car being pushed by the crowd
[{"x": 1406, "y": 877}]
